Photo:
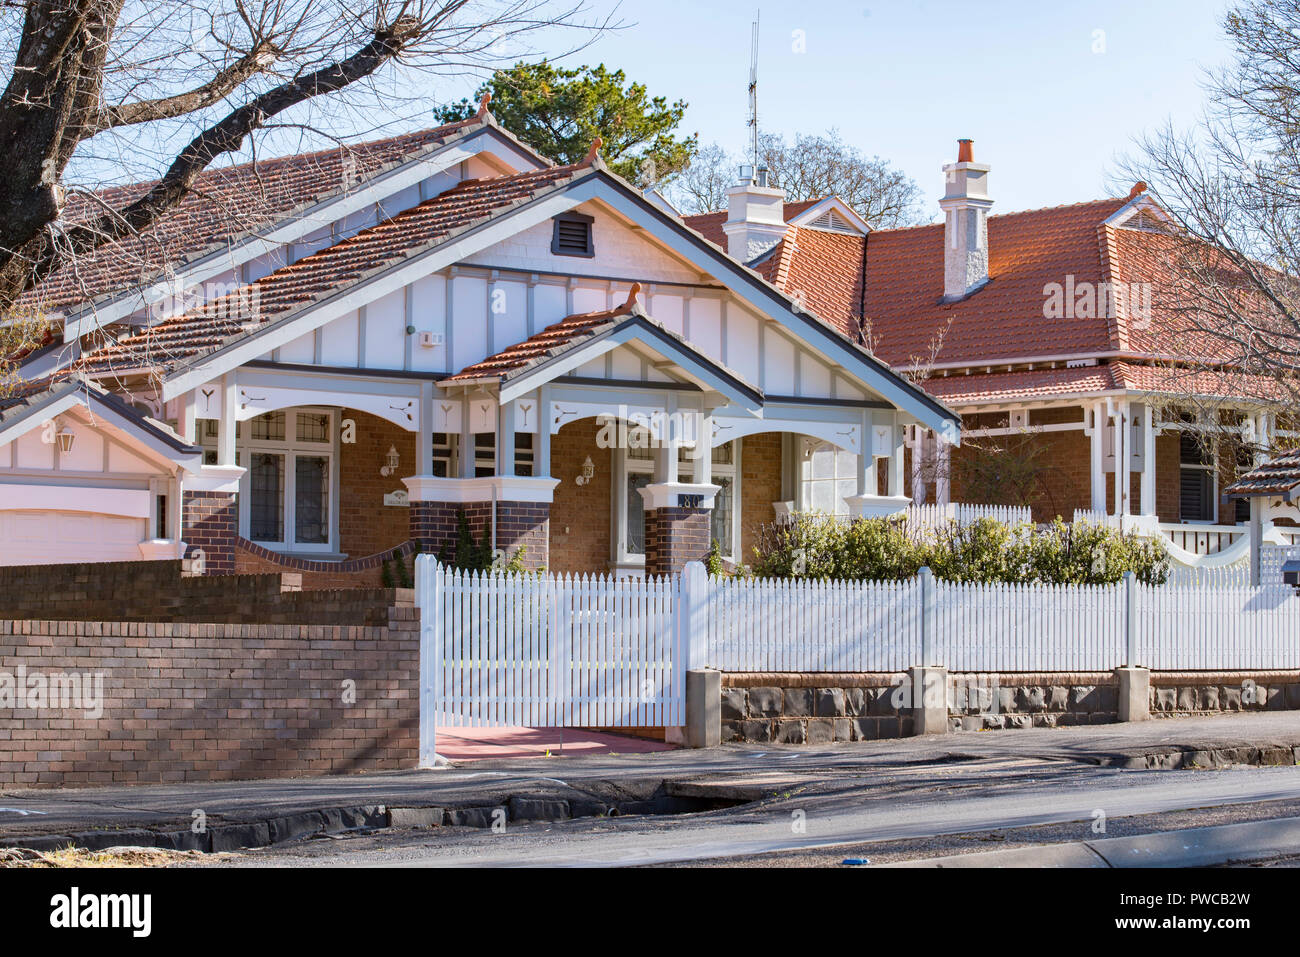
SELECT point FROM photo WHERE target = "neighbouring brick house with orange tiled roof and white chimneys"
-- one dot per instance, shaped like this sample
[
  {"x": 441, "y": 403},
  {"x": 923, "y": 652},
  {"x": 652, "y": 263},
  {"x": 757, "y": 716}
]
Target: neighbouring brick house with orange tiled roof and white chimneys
[{"x": 1037, "y": 328}]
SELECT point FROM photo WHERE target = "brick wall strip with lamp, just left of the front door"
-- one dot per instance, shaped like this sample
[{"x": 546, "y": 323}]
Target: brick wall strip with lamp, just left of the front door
[{"x": 580, "y": 514}]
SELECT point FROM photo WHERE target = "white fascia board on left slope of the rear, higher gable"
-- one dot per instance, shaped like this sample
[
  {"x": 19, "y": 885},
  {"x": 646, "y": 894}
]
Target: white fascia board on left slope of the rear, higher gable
[{"x": 294, "y": 227}]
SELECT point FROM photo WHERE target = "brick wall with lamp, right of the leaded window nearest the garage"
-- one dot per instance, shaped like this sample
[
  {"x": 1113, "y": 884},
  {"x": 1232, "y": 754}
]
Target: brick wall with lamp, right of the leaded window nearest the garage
[{"x": 366, "y": 526}]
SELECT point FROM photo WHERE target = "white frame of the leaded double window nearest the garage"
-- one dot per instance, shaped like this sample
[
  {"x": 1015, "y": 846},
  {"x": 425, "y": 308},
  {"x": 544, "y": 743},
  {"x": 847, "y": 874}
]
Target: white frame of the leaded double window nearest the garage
[{"x": 291, "y": 448}]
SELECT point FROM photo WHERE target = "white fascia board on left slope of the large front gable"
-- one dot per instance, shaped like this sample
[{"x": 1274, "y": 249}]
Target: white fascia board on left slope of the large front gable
[{"x": 366, "y": 292}]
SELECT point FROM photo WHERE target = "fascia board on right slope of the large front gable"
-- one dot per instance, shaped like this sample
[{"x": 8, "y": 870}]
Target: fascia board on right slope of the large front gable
[{"x": 756, "y": 293}]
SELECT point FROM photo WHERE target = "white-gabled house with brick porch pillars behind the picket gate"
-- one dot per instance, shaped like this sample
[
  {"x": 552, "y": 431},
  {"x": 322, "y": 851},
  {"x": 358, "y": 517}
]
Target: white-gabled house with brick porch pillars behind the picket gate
[{"x": 326, "y": 361}]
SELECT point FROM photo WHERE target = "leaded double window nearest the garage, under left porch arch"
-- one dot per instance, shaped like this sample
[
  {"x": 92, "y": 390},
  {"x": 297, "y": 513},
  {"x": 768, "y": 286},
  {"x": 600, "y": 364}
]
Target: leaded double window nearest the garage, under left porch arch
[{"x": 287, "y": 499}]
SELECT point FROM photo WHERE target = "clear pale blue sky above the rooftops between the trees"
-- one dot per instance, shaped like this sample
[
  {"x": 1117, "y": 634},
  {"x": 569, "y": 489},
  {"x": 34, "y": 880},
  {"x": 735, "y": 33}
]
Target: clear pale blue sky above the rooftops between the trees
[{"x": 905, "y": 79}]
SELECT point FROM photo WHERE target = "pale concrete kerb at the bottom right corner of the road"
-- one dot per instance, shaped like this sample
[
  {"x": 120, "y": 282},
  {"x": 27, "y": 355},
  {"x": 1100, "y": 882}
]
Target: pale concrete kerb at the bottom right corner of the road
[{"x": 1195, "y": 847}]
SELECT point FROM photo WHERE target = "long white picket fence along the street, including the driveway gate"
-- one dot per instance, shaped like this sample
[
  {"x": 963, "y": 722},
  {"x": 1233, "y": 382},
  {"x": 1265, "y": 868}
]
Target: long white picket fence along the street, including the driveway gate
[{"x": 543, "y": 651}]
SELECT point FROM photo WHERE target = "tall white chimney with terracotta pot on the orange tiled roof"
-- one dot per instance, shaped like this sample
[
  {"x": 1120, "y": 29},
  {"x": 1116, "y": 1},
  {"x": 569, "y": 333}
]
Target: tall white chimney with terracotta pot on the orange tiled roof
[{"x": 965, "y": 207}]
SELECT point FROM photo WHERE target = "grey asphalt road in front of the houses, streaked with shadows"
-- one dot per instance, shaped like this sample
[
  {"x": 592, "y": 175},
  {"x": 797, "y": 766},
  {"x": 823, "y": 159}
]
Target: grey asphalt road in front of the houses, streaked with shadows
[{"x": 837, "y": 809}]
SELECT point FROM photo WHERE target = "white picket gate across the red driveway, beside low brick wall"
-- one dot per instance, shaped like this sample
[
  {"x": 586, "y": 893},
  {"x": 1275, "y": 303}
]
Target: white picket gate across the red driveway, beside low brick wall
[{"x": 551, "y": 651}]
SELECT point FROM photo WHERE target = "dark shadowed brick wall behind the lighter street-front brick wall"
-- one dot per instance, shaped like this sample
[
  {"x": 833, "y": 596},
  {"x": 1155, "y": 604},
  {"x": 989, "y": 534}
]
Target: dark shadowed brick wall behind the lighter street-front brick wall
[{"x": 158, "y": 592}]
